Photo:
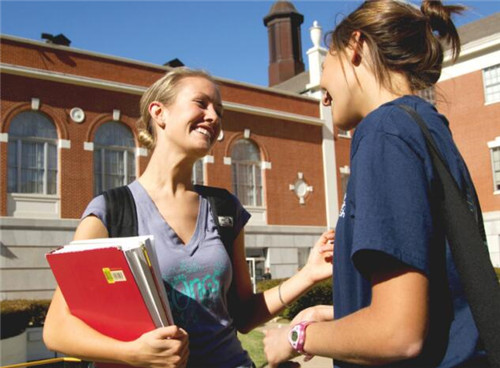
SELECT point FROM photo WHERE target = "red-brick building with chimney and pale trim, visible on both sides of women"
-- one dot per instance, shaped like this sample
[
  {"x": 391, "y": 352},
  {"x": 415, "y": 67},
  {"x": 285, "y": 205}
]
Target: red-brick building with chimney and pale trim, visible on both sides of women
[{"x": 67, "y": 131}]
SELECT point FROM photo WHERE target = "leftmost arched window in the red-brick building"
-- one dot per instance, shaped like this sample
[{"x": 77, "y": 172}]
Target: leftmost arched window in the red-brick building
[{"x": 32, "y": 154}]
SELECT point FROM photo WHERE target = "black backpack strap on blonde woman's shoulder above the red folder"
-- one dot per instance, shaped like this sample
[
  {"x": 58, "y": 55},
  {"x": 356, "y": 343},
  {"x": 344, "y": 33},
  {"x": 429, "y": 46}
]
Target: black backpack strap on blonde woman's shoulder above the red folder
[{"x": 121, "y": 213}]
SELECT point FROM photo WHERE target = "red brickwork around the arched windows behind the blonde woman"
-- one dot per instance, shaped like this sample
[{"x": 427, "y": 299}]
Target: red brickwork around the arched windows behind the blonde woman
[{"x": 289, "y": 146}]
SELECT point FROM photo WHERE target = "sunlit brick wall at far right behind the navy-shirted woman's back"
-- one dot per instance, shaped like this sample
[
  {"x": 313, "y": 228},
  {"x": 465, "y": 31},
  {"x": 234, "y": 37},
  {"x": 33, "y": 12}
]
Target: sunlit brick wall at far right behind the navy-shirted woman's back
[{"x": 473, "y": 125}]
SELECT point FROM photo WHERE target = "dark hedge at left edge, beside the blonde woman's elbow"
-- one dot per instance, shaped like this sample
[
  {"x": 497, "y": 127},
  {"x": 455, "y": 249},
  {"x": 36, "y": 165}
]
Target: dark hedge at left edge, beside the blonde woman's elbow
[{"x": 17, "y": 315}]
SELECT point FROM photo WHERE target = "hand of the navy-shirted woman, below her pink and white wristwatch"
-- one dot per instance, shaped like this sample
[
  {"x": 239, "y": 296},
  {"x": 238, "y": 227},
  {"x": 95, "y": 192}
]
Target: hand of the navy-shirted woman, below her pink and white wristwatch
[{"x": 276, "y": 346}]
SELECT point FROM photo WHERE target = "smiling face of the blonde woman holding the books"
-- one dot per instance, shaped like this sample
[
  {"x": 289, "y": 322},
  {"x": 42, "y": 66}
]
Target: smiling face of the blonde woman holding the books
[{"x": 192, "y": 122}]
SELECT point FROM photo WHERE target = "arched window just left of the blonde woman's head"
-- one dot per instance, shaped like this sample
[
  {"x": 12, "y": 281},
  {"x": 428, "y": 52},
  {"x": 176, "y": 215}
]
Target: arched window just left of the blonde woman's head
[{"x": 114, "y": 156}]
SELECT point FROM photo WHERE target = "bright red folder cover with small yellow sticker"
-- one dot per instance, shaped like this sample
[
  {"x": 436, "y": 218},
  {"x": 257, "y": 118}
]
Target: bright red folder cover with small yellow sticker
[{"x": 115, "y": 308}]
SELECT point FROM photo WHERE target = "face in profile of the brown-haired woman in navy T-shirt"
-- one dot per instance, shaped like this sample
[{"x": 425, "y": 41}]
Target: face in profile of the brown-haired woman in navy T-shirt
[{"x": 341, "y": 90}]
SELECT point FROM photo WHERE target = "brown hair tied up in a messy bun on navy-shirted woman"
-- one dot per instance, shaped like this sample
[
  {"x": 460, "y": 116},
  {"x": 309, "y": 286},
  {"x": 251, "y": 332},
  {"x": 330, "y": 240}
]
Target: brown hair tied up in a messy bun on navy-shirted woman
[{"x": 402, "y": 38}]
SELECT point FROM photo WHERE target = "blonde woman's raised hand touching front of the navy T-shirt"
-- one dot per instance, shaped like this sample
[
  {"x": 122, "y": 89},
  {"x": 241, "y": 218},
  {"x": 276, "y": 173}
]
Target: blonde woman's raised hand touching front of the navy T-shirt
[{"x": 319, "y": 263}]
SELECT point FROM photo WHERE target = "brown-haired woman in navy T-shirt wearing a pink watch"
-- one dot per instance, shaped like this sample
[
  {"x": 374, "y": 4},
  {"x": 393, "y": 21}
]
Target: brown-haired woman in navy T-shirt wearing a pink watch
[{"x": 397, "y": 296}]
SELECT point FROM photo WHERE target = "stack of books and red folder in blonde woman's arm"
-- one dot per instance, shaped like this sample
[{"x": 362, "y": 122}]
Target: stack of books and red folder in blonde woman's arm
[{"x": 113, "y": 285}]
